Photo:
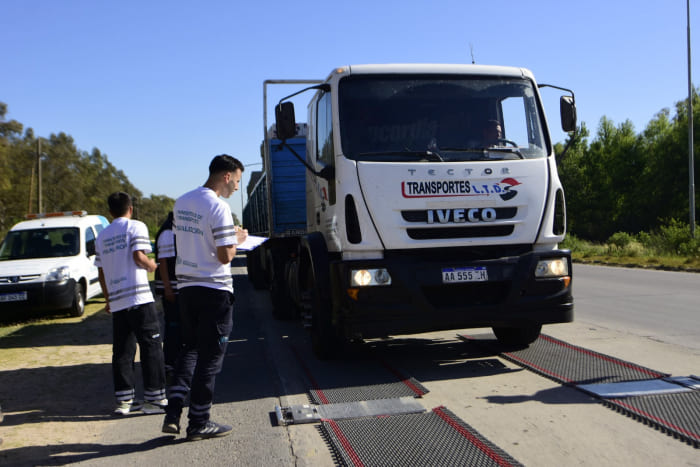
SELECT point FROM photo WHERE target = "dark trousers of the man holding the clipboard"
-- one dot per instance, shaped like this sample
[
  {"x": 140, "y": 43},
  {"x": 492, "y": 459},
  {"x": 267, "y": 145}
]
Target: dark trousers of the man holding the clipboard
[{"x": 206, "y": 319}]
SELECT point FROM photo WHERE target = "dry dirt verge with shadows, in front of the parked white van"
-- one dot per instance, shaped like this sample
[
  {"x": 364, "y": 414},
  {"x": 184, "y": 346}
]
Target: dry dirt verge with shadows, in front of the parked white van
[{"x": 55, "y": 375}]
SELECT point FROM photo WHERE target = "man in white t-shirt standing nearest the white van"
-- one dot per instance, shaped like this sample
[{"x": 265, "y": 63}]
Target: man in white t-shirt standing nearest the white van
[{"x": 123, "y": 267}]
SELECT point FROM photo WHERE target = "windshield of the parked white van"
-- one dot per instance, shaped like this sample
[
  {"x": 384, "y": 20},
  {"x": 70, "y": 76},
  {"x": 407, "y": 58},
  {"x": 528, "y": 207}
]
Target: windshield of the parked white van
[{"x": 40, "y": 243}]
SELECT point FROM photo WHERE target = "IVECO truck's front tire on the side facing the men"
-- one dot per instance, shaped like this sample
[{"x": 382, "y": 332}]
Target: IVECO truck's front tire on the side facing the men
[{"x": 326, "y": 342}]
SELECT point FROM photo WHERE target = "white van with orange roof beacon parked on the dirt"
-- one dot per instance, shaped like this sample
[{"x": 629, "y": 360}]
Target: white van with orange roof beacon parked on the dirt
[{"x": 47, "y": 263}]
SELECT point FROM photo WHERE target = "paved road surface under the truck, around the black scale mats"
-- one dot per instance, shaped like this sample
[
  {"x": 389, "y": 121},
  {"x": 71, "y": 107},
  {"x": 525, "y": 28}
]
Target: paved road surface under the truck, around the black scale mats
[{"x": 645, "y": 317}]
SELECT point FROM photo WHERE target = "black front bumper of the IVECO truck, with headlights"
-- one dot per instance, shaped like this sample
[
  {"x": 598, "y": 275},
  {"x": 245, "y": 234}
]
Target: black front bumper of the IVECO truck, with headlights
[{"x": 418, "y": 301}]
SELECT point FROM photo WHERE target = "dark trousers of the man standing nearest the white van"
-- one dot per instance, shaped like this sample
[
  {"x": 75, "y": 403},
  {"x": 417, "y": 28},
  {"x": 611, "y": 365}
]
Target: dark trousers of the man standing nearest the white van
[{"x": 139, "y": 324}]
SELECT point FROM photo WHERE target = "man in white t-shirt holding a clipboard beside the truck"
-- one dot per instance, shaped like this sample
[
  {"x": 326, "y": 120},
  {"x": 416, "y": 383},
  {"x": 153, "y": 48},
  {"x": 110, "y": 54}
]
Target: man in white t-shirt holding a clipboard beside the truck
[{"x": 206, "y": 241}]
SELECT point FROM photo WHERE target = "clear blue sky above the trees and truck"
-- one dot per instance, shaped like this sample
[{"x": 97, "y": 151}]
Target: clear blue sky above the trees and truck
[{"x": 161, "y": 87}]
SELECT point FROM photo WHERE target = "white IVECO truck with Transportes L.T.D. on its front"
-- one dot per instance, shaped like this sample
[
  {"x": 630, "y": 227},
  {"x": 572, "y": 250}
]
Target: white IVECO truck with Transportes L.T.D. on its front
[{"x": 432, "y": 203}]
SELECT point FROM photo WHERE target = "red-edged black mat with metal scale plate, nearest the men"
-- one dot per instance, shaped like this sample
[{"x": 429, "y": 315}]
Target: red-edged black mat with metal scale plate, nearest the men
[{"x": 393, "y": 431}]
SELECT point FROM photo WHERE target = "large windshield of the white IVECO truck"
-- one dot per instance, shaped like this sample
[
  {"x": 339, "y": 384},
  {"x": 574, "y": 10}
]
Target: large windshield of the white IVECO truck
[{"x": 439, "y": 118}]
